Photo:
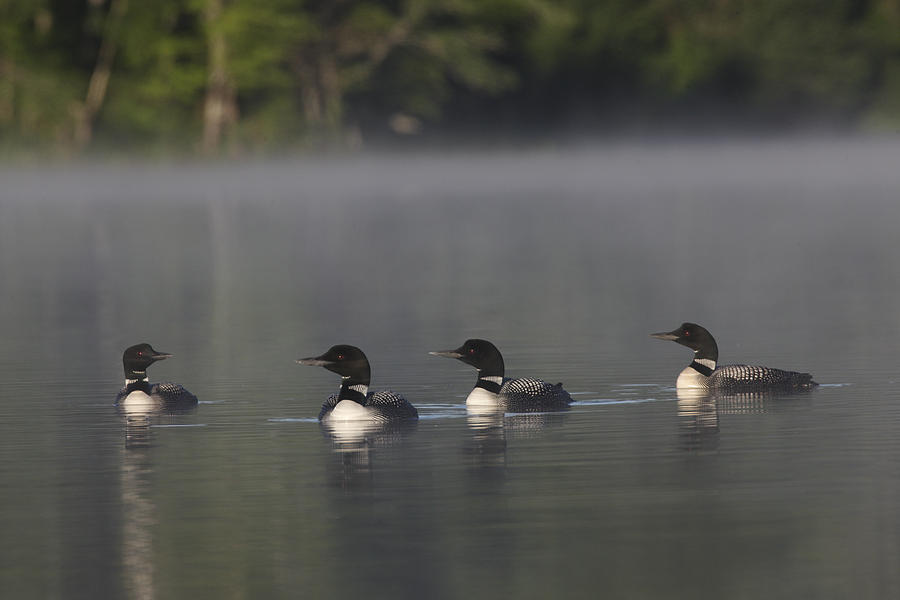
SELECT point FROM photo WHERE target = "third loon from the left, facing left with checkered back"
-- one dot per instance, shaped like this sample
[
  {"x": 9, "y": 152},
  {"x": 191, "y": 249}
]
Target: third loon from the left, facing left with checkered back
[{"x": 492, "y": 389}]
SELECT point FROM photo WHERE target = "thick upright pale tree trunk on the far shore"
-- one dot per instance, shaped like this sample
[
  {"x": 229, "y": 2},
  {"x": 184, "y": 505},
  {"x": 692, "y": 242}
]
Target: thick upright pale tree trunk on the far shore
[{"x": 220, "y": 106}]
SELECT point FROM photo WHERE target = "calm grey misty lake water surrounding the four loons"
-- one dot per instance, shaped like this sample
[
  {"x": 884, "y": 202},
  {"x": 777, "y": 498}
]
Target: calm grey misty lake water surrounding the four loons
[{"x": 567, "y": 260}]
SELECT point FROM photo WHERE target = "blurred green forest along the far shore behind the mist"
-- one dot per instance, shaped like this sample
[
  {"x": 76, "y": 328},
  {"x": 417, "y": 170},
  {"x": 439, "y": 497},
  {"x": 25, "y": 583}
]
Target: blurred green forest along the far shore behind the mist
[{"x": 259, "y": 77}]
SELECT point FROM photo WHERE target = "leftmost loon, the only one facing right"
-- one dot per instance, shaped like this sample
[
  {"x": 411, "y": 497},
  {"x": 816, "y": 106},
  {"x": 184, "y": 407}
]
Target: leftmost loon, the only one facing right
[{"x": 139, "y": 392}]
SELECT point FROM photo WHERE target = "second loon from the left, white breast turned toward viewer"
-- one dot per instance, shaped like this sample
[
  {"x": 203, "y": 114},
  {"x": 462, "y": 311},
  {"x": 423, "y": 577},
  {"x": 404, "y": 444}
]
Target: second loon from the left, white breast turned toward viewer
[{"x": 354, "y": 402}]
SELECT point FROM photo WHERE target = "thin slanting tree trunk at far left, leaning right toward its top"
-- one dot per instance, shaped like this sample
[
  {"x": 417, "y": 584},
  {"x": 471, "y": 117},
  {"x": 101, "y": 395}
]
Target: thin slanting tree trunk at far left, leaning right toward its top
[{"x": 99, "y": 82}]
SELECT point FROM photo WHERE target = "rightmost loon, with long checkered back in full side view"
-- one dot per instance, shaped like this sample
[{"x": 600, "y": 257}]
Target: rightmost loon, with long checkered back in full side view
[{"x": 702, "y": 373}]
